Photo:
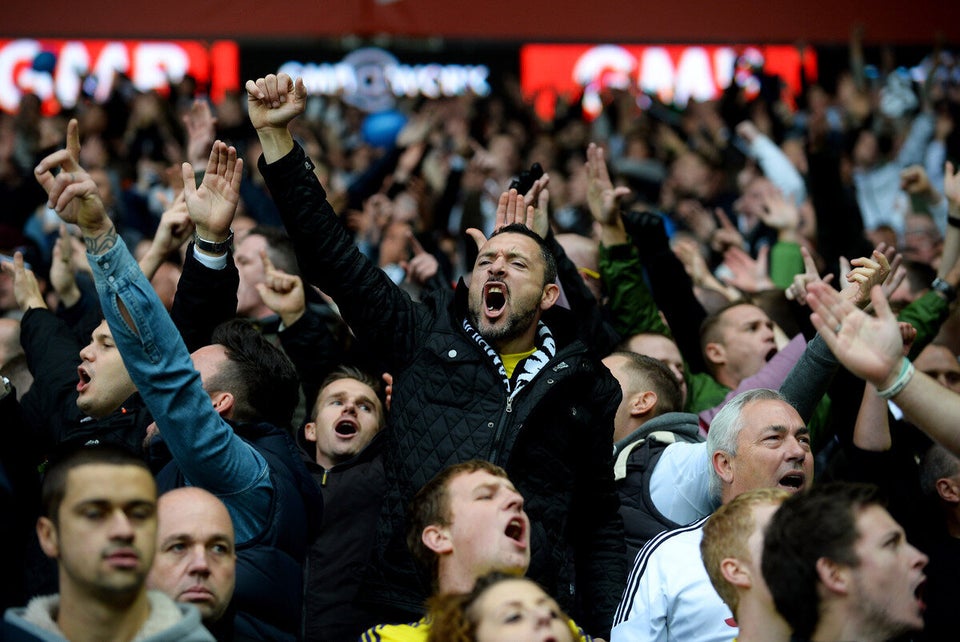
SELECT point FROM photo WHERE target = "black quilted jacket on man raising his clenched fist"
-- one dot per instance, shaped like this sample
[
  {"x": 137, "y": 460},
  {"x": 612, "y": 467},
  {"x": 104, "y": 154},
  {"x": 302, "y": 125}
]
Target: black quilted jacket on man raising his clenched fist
[{"x": 450, "y": 405}]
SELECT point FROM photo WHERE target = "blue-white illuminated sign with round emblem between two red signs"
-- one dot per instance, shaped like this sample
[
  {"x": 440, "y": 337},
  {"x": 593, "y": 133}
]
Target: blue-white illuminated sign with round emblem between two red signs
[{"x": 372, "y": 79}]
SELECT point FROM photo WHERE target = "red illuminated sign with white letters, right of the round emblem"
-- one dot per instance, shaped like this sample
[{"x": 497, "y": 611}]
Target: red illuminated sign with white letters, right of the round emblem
[{"x": 674, "y": 73}]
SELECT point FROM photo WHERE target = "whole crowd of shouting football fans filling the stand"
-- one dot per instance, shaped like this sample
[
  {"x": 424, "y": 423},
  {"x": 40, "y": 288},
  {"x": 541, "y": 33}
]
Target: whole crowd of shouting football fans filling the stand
[{"x": 601, "y": 329}]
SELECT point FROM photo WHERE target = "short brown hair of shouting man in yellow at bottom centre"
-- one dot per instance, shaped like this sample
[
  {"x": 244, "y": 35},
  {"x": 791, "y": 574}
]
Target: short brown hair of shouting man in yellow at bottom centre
[{"x": 430, "y": 507}]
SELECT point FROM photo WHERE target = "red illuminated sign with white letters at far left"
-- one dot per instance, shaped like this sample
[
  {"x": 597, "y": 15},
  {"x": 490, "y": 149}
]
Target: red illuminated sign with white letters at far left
[{"x": 60, "y": 71}]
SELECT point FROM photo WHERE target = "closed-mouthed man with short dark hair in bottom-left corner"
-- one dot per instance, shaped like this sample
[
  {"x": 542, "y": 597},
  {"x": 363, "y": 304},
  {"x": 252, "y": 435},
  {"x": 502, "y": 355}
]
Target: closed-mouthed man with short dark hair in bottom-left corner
[{"x": 100, "y": 523}]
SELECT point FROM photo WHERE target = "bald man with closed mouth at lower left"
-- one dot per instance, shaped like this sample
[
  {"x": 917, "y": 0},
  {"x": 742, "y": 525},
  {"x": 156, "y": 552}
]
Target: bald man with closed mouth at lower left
[{"x": 196, "y": 557}]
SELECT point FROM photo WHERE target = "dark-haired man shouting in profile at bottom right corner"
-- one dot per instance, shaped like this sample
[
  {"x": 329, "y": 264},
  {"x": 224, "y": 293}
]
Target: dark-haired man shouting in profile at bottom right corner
[{"x": 840, "y": 568}]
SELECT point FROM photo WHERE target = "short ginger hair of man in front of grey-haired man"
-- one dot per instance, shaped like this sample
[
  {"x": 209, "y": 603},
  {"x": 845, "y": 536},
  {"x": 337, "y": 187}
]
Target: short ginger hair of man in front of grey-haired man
[{"x": 725, "y": 535}]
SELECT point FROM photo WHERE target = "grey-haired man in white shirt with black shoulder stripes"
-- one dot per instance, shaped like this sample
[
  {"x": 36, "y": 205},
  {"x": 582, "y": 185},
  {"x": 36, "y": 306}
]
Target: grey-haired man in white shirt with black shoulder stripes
[{"x": 757, "y": 440}]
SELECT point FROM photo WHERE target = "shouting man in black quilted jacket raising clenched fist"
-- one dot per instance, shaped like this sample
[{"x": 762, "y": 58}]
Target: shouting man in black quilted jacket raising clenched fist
[{"x": 492, "y": 372}]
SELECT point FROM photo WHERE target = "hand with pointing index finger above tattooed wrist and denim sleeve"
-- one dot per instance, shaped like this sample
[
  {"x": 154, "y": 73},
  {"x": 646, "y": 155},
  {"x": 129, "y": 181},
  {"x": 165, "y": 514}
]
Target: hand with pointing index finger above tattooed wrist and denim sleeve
[{"x": 71, "y": 192}]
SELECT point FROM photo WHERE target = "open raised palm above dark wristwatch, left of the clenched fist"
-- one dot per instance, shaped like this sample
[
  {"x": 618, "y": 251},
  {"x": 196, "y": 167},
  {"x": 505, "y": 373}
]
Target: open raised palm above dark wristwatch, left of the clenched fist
[{"x": 213, "y": 205}]
